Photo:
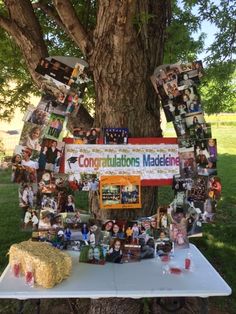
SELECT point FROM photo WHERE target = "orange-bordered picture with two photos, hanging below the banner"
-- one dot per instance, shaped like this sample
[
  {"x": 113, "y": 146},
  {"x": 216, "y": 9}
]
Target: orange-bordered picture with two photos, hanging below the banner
[{"x": 120, "y": 192}]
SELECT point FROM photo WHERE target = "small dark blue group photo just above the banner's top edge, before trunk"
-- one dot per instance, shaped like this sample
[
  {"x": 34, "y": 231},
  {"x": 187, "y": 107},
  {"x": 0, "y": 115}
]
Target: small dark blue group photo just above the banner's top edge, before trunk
[{"x": 115, "y": 135}]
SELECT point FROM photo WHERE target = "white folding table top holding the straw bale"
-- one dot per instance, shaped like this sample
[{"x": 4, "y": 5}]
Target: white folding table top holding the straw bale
[{"x": 147, "y": 278}]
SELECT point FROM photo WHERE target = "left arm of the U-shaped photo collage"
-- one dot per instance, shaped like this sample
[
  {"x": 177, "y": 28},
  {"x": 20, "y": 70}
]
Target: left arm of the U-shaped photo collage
[{"x": 46, "y": 198}]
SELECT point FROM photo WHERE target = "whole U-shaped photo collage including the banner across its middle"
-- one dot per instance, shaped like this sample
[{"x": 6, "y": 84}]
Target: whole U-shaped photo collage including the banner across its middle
[{"x": 53, "y": 168}]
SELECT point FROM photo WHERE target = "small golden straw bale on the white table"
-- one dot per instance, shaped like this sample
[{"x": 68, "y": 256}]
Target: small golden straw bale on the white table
[{"x": 49, "y": 265}]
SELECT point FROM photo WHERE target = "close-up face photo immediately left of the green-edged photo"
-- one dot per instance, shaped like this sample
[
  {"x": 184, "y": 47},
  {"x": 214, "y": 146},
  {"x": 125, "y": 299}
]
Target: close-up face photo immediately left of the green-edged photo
[{"x": 31, "y": 136}]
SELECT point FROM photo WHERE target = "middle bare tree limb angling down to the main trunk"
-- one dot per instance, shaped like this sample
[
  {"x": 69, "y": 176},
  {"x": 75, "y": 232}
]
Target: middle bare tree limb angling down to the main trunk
[{"x": 70, "y": 19}]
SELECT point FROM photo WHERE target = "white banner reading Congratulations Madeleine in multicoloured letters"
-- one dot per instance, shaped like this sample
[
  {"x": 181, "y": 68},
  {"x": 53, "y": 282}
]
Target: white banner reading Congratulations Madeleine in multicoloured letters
[{"x": 150, "y": 162}]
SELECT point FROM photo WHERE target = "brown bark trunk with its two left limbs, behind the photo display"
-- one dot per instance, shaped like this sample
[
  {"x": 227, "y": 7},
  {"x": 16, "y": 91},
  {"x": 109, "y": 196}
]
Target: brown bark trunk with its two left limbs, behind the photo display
[{"x": 122, "y": 48}]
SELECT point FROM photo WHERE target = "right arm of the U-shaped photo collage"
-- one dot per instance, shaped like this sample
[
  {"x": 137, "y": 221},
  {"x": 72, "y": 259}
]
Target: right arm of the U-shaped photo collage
[{"x": 177, "y": 87}]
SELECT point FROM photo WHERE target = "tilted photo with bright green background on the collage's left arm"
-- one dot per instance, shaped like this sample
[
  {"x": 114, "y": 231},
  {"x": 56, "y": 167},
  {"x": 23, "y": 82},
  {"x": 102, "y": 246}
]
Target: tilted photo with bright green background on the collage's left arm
[{"x": 55, "y": 126}]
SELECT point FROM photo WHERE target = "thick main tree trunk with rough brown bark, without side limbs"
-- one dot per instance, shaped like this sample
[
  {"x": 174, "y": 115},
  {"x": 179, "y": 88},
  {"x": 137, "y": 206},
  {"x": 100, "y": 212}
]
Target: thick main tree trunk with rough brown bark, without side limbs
[{"x": 124, "y": 57}]
